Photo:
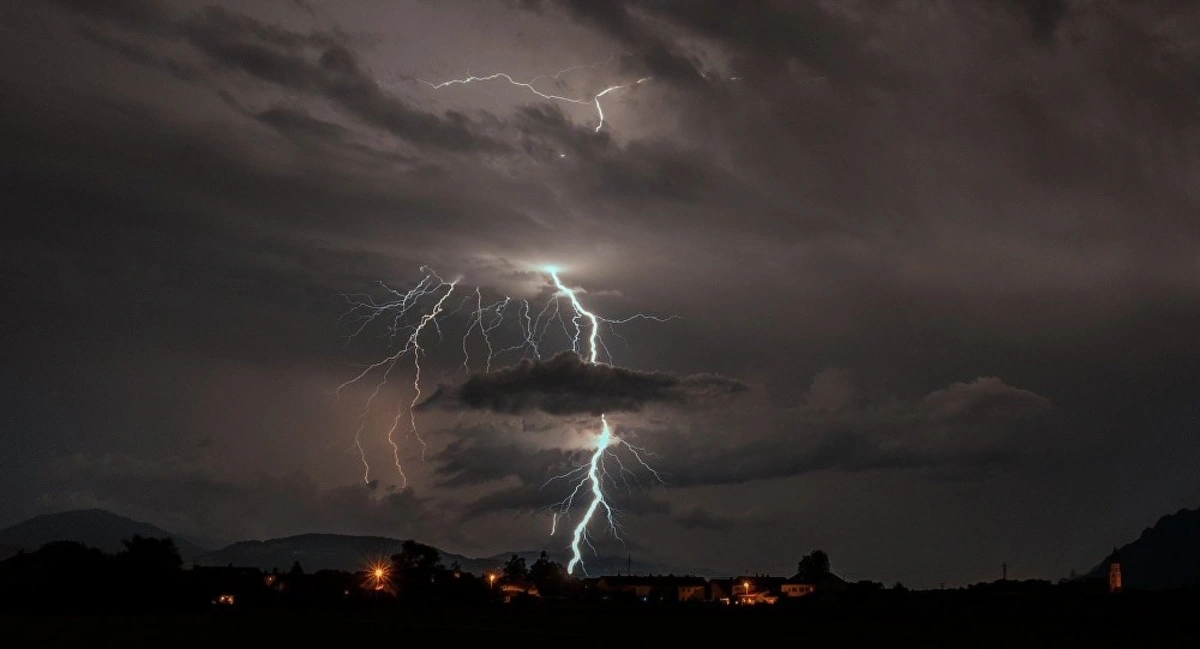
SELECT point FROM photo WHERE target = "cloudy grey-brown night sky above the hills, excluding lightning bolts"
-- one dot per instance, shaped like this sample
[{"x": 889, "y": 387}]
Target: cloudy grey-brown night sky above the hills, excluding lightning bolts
[{"x": 933, "y": 269}]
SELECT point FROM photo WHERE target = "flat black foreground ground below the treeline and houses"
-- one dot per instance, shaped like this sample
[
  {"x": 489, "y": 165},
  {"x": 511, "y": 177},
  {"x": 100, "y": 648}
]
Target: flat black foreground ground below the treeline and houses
[{"x": 1107, "y": 624}]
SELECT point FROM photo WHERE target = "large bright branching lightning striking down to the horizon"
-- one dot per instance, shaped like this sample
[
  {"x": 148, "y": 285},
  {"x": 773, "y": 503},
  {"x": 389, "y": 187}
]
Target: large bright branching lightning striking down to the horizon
[{"x": 583, "y": 332}]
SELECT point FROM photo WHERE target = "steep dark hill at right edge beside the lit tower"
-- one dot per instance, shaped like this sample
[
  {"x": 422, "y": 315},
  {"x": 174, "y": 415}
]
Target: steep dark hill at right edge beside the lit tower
[{"x": 1165, "y": 557}]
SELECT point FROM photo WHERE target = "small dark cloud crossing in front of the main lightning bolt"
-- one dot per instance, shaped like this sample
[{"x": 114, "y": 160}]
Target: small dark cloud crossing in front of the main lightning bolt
[{"x": 566, "y": 384}]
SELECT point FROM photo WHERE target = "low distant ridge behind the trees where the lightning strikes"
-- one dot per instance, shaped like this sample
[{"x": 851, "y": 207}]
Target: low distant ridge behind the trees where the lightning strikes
[{"x": 347, "y": 552}]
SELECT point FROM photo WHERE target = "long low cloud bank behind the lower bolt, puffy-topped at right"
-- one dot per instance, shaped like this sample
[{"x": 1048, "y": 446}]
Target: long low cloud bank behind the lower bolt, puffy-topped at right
[{"x": 838, "y": 428}]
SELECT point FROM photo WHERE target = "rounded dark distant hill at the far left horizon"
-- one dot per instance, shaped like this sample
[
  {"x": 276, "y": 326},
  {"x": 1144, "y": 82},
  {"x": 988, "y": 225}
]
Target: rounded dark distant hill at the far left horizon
[{"x": 95, "y": 528}]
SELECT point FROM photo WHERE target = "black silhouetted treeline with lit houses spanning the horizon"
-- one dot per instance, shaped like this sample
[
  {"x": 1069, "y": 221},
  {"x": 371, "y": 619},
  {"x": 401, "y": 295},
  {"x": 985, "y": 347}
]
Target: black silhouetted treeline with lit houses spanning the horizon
[{"x": 149, "y": 576}]
